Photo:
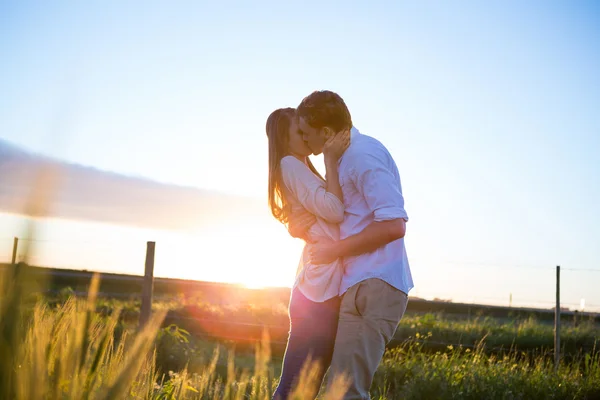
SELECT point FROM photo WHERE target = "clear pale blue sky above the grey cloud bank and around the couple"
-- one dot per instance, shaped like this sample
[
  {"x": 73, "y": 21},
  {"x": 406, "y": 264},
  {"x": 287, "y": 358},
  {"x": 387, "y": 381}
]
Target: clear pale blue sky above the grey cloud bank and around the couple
[{"x": 490, "y": 108}]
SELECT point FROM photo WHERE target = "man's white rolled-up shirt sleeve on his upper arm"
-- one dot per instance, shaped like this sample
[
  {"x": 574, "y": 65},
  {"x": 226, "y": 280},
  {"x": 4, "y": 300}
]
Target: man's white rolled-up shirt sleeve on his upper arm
[{"x": 377, "y": 179}]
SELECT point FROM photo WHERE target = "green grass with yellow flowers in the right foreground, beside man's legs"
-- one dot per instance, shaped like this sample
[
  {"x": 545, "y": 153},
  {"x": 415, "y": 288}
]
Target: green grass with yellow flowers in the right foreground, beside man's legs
[{"x": 458, "y": 373}]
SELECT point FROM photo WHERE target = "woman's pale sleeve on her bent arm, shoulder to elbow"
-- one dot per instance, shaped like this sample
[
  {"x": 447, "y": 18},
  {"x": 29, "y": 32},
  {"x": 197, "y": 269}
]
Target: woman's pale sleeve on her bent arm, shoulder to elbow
[{"x": 310, "y": 191}]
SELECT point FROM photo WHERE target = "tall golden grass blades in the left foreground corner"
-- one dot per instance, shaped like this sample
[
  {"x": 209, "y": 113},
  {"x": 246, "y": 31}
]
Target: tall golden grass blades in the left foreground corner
[{"x": 70, "y": 352}]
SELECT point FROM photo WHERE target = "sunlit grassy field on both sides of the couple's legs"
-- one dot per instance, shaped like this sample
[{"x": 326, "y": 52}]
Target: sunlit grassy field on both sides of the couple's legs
[{"x": 72, "y": 348}]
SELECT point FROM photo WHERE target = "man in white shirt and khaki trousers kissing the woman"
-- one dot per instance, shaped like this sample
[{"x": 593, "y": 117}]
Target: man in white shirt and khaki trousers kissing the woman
[{"x": 377, "y": 276}]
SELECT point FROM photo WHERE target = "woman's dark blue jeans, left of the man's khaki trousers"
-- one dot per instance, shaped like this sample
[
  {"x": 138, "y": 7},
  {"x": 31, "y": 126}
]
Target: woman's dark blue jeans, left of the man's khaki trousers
[{"x": 313, "y": 327}]
